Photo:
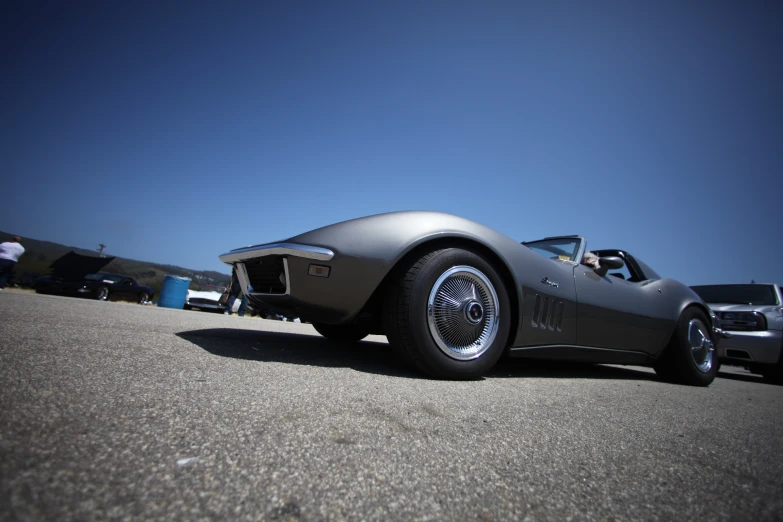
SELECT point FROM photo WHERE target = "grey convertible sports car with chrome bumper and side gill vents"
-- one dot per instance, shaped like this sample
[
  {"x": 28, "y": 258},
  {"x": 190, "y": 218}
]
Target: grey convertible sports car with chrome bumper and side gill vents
[{"x": 453, "y": 296}]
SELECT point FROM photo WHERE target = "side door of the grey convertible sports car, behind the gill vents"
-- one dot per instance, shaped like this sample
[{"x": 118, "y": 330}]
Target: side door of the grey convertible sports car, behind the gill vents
[{"x": 615, "y": 313}]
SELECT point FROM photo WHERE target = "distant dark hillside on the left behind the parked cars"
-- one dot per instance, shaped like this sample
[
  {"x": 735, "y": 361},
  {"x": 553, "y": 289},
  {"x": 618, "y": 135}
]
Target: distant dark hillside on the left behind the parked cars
[{"x": 39, "y": 255}]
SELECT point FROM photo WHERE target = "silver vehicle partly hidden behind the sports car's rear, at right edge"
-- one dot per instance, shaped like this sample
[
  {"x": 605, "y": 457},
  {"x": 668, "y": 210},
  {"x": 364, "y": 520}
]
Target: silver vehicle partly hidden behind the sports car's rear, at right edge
[{"x": 752, "y": 314}]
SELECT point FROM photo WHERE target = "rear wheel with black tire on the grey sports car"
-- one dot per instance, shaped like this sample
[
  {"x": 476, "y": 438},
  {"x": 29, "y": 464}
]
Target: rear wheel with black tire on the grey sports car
[{"x": 682, "y": 361}]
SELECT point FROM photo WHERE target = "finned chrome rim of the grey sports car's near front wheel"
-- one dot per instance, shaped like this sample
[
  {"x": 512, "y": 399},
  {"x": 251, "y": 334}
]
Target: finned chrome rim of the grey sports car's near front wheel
[{"x": 462, "y": 313}]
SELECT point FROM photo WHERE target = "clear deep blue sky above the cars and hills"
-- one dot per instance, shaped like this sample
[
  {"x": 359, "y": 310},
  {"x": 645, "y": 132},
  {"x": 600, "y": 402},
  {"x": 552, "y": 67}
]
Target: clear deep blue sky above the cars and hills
[{"x": 173, "y": 132}]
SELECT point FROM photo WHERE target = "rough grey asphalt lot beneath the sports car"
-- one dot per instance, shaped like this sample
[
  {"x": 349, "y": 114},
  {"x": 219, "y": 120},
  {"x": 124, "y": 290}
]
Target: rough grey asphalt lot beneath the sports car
[{"x": 124, "y": 412}]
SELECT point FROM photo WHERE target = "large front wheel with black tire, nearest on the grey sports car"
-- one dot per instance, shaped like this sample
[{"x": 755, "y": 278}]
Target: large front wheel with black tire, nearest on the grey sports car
[{"x": 430, "y": 343}]
